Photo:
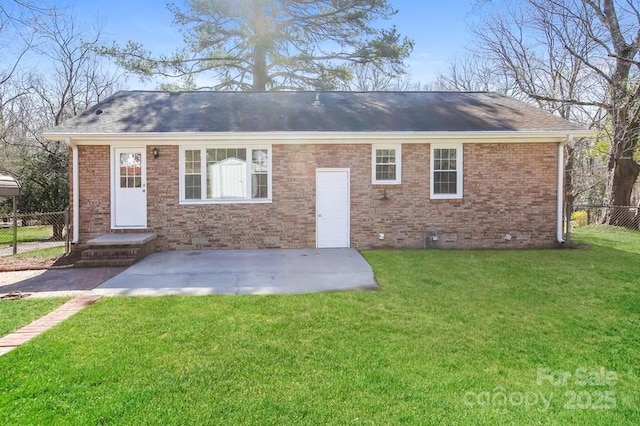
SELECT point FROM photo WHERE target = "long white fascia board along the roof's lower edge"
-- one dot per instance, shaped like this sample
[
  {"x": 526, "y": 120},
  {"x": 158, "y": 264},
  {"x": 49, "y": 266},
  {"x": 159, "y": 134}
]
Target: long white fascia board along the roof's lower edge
[{"x": 289, "y": 138}]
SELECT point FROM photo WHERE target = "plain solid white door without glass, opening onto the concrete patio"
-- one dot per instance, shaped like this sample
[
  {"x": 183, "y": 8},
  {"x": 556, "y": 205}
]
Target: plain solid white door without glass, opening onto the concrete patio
[{"x": 332, "y": 208}]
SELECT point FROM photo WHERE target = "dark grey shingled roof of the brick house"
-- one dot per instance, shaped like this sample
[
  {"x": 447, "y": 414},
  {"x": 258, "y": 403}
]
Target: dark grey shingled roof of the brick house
[{"x": 130, "y": 112}]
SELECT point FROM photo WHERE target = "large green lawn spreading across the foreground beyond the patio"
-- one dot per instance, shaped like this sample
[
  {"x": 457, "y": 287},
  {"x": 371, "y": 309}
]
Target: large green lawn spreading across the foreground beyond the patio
[{"x": 452, "y": 337}]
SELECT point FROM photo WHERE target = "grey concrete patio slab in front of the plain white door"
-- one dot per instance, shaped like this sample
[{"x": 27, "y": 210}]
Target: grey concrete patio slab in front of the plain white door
[{"x": 267, "y": 271}]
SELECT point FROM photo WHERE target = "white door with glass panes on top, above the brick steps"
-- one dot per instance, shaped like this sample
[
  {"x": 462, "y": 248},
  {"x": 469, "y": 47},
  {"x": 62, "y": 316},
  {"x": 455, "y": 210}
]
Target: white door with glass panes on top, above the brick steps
[{"x": 130, "y": 188}]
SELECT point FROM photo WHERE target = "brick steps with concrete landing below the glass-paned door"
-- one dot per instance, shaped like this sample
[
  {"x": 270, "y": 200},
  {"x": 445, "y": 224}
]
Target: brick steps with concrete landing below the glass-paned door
[{"x": 116, "y": 252}]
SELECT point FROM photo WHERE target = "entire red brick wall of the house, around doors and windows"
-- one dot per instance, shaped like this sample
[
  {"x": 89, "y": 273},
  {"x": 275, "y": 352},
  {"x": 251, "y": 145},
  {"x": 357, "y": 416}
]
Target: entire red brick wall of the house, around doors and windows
[{"x": 508, "y": 189}]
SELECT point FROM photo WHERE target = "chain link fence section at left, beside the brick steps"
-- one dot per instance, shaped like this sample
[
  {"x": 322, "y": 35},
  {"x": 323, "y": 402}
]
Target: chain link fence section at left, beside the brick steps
[{"x": 34, "y": 234}]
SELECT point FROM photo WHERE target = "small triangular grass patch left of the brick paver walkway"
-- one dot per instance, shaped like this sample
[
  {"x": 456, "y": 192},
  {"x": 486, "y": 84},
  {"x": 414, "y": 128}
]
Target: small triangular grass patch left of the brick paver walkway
[{"x": 17, "y": 313}]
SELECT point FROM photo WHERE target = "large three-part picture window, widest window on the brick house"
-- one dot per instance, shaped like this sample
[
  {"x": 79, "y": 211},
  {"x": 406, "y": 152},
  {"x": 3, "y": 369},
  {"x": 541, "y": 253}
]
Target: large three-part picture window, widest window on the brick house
[{"x": 225, "y": 174}]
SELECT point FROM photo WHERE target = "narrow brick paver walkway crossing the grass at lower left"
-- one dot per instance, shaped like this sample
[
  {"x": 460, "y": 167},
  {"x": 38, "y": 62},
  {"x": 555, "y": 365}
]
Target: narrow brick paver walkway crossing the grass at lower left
[{"x": 39, "y": 326}]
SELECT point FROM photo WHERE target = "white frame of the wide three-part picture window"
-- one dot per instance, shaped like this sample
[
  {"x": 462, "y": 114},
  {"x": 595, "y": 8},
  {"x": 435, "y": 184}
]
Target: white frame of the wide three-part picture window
[{"x": 203, "y": 160}]
